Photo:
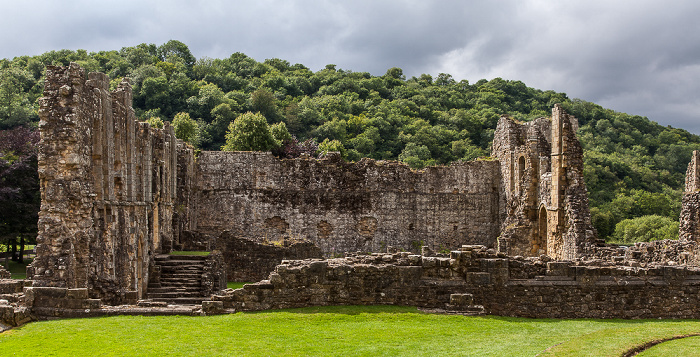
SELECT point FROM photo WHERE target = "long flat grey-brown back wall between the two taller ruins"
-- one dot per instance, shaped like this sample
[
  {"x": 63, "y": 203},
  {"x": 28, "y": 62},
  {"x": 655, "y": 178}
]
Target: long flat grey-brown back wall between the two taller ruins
[{"x": 367, "y": 206}]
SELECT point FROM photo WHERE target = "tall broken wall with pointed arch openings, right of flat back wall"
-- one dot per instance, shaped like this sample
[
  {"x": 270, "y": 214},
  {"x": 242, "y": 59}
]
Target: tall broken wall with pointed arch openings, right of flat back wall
[{"x": 542, "y": 177}]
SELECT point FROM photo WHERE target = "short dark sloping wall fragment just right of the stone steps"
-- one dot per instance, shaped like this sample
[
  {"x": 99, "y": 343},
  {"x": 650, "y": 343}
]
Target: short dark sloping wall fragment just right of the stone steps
[{"x": 246, "y": 260}]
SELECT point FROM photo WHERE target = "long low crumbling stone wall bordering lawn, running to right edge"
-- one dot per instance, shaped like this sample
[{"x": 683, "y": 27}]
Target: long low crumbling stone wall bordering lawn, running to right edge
[{"x": 501, "y": 285}]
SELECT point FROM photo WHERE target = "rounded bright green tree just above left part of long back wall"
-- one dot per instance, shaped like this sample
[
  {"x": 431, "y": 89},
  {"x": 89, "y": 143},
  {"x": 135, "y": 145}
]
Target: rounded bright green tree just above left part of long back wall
[{"x": 249, "y": 132}]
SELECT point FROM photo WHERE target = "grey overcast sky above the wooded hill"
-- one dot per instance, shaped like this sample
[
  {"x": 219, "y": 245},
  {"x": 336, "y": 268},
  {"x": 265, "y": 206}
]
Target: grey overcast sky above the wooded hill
[{"x": 635, "y": 56}]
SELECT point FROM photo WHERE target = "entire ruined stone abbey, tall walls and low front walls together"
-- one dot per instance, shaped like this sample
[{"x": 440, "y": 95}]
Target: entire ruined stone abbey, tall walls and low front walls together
[{"x": 508, "y": 235}]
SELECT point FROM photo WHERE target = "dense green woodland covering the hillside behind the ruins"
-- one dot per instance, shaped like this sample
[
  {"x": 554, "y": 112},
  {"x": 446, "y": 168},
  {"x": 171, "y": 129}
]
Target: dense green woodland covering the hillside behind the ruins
[{"x": 633, "y": 167}]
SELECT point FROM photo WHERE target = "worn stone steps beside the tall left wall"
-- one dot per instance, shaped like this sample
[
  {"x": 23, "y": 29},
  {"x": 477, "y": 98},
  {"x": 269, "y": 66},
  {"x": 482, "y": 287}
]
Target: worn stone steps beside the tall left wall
[{"x": 177, "y": 280}]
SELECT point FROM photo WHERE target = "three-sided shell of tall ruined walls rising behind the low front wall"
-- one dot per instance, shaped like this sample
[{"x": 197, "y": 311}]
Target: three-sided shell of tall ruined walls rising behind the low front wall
[{"x": 117, "y": 192}]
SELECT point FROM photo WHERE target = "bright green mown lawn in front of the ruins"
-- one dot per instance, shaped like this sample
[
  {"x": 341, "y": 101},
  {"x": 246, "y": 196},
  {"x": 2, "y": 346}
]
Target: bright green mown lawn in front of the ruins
[{"x": 339, "y": 331}]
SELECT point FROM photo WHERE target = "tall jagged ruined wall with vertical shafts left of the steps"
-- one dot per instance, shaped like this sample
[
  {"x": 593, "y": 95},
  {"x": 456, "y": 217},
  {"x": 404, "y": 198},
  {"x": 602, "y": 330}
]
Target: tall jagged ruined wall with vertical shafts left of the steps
[{"x": 108, "y": 188}]
